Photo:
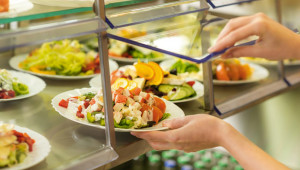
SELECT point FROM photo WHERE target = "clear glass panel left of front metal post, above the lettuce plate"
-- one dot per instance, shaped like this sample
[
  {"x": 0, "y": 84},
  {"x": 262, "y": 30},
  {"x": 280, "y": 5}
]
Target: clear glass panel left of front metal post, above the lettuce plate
[{"x": 50, "y": 31}]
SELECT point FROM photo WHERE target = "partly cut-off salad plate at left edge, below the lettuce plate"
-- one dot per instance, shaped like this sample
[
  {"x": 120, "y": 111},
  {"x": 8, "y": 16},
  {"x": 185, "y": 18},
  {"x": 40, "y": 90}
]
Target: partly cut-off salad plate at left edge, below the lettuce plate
[{"x": 17, "y": 85}]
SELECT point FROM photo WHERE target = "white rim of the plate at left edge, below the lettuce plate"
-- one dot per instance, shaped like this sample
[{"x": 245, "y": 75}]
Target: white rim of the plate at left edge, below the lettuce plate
[{"x": 43, "y": 86}]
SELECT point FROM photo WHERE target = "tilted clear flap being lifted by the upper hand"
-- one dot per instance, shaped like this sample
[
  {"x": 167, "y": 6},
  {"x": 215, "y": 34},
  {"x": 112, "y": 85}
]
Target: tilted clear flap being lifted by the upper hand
[{"x": 179, "y": 36}]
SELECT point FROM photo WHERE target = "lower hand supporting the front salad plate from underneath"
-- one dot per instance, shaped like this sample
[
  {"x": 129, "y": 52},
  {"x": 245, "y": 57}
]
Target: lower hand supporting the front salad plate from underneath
[{"x": 190, "y": 133}]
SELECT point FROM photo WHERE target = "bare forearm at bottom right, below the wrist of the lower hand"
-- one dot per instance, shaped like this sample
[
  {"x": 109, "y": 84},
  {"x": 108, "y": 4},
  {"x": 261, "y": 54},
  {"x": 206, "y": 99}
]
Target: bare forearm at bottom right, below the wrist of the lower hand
[{"x": 247, "y": 153}]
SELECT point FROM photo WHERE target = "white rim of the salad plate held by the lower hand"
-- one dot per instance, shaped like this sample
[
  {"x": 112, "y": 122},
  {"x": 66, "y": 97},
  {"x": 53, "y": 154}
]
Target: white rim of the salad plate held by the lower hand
[{"x": 55, "y": 106}]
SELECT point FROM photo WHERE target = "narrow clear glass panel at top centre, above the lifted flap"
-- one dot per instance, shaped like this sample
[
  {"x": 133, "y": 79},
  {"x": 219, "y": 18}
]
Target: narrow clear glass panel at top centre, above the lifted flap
[{"x": 156, "y": 10}]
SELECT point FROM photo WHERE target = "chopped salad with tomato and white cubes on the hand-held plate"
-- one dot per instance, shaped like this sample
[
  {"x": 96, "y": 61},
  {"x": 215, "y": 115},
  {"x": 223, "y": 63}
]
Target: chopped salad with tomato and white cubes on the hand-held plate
[{"x": 131, "y": 109}]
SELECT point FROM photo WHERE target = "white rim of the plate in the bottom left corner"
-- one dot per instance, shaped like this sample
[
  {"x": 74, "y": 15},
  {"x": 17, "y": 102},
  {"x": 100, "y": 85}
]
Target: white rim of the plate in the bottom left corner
[{"x": 44, "y": 143}]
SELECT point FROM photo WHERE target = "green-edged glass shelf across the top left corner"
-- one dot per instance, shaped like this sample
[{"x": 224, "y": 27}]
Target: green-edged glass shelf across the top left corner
[{"x": 44, "y": 11}]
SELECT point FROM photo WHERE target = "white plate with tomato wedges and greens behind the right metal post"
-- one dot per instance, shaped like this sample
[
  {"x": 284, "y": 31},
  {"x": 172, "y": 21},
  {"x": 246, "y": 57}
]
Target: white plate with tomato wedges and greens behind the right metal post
[{"x": 225, "y": 72}]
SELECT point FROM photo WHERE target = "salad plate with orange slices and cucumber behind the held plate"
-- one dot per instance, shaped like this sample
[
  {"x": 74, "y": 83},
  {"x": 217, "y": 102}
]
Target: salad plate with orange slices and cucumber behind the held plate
[{"x": 152, "y": 79}]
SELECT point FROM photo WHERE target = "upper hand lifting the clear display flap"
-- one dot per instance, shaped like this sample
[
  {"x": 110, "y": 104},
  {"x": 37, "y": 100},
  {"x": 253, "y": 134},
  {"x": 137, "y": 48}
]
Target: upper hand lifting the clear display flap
[{"x": 275, "y": 41}]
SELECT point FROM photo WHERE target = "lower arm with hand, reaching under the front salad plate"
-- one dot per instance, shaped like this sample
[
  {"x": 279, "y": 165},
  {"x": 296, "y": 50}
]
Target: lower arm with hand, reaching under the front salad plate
[{"x": 197, "y": 132}]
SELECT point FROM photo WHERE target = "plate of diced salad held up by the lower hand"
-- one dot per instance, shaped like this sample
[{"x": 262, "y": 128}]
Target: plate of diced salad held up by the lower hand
[{"x": 133, "y": 110}]
